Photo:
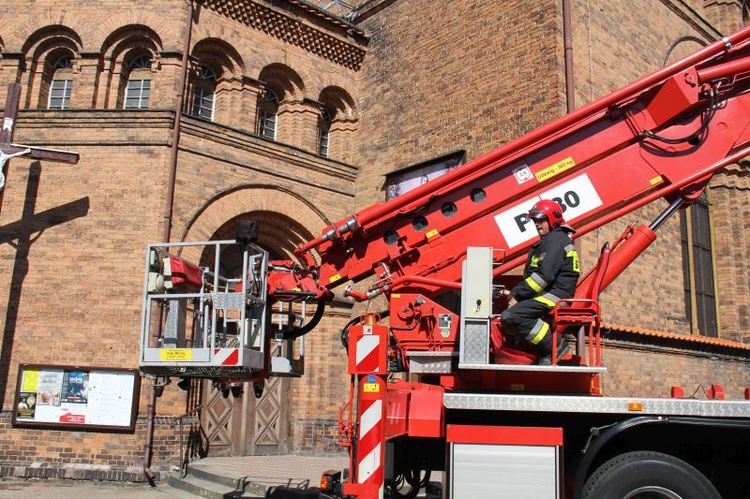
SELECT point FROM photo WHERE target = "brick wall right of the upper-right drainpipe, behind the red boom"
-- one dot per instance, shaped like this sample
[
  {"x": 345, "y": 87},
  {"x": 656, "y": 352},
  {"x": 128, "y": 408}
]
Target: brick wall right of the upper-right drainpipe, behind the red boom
[{"x": 612, "y": 47}]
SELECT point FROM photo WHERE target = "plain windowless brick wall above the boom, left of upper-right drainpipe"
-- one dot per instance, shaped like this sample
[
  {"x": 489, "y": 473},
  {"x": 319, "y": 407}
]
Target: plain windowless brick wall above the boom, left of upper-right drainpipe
[{"x": 446, "y": 76}]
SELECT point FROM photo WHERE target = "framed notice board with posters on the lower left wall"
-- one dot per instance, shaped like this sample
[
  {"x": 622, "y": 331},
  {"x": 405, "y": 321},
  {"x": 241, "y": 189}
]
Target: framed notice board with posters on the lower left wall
[{"x": 76, "y": 397}]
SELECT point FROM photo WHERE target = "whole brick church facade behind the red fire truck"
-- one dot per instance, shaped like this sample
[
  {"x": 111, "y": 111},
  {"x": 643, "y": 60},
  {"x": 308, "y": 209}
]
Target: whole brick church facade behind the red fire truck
[{"x": 295, "y": 116}]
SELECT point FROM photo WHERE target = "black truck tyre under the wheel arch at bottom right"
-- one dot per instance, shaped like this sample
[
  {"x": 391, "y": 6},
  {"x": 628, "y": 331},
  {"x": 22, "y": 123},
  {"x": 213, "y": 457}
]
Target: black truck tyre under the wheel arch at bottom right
[{"x": 645, "y": 474}]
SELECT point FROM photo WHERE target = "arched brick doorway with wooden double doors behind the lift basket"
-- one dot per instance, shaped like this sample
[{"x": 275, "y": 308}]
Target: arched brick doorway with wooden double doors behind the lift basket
[{"x": 236, "y": 422}]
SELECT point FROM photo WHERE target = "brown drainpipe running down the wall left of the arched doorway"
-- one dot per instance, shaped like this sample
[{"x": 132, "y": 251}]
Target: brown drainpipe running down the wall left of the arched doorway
[{"x": 150, "y": 423}]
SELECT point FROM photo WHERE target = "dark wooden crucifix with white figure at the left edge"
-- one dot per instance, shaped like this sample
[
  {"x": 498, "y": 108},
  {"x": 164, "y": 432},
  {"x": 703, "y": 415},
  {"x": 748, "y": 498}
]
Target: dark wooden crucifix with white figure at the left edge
[{"x": 10, "y": 150}]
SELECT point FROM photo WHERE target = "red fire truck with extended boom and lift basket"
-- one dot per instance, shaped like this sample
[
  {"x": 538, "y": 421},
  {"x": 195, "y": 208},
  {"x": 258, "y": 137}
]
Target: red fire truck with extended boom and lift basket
[{"x": 436, "y": 384}]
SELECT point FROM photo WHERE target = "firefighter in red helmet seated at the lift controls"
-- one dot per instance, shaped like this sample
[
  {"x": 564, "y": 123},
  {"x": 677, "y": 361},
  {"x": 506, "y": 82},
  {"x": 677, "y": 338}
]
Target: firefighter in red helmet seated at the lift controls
[{"x": 551, "y": 273}]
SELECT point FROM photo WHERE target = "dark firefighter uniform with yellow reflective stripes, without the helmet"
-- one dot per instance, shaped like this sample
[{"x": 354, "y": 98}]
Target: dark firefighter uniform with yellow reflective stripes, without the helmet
[{"x": 551, "y": 273}]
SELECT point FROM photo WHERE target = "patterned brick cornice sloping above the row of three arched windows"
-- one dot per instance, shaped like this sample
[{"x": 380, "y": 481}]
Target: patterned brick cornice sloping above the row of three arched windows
[{"x": 348, "y": 53}]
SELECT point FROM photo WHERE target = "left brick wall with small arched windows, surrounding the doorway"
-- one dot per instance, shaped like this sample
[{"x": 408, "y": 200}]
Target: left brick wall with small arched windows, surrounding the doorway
[{"x": 79, "y": 298}]
